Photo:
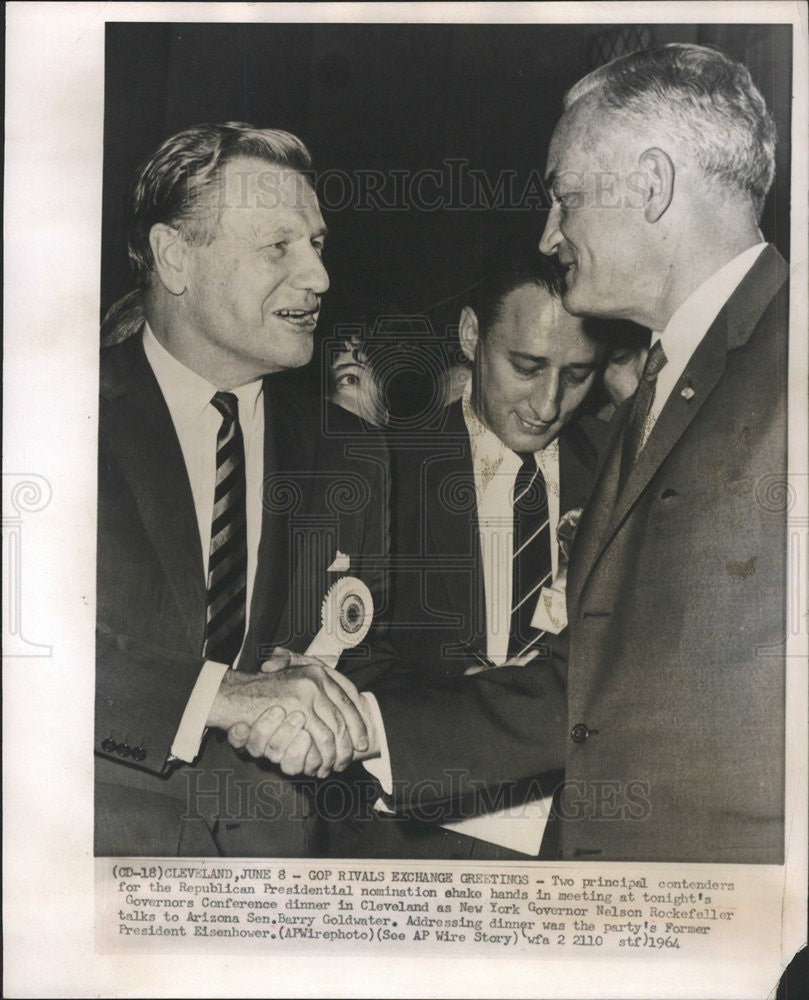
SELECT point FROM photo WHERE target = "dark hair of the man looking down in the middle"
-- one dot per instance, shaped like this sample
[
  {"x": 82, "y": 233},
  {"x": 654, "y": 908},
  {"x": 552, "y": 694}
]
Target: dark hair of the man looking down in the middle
[{"x": 505, "y": 269}]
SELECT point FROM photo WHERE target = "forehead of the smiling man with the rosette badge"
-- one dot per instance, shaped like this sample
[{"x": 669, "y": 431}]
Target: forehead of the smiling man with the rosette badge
[{"x": 251, "y": 185}]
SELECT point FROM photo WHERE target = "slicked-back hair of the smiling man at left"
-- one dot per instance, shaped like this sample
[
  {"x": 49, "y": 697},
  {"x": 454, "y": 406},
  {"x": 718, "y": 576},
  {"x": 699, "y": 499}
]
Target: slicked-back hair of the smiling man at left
[{"x": 173, "y": 186}]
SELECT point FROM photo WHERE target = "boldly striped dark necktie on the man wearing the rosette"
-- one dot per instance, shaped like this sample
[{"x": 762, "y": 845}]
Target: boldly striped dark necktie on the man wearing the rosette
[{"x": 227, "y": 564}]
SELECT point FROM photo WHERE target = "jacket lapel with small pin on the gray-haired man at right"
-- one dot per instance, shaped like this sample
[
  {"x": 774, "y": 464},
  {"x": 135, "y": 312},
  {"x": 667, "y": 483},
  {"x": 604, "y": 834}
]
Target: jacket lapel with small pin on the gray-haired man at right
[{"x": 731, "y": 329}]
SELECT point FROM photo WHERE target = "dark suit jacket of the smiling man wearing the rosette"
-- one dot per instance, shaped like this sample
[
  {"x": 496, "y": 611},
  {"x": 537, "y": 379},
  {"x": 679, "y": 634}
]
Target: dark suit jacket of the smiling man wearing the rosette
[{"x": 325, "y": 488}]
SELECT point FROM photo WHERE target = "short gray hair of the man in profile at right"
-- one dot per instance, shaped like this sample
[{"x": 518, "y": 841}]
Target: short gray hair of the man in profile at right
[{"x": 701, "y": 98}]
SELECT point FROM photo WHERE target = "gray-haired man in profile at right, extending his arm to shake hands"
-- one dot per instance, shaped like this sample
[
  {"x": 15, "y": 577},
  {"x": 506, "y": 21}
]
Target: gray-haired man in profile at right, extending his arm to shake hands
[{"x": 674, "y": 749}]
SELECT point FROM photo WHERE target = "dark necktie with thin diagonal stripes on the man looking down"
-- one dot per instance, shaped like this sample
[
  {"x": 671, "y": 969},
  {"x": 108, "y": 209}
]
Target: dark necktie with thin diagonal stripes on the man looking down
[{"x": 531, "y": 562}]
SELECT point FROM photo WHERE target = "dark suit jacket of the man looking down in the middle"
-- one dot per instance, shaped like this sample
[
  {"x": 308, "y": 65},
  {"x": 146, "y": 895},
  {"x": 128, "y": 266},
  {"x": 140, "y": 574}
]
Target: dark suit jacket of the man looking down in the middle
[{"x": 437, "y": 618}]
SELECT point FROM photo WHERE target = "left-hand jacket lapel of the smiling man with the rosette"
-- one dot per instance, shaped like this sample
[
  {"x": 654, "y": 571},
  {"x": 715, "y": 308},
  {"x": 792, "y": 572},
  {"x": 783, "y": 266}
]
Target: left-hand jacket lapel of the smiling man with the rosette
[{"x": 140, "y": 431}]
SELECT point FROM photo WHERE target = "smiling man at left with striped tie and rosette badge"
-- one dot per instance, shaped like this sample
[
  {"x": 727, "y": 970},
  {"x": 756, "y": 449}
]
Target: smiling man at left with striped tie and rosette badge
[{"x": 209, "y": 468}]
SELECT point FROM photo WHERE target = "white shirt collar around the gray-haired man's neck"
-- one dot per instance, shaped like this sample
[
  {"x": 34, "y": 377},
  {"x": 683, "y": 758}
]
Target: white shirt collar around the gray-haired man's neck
[{"x": 692, "y": 320}]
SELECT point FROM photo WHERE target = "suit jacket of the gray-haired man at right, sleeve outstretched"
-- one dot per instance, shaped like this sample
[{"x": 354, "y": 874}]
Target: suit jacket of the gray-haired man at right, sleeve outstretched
[{"x": 672, "y": 738}]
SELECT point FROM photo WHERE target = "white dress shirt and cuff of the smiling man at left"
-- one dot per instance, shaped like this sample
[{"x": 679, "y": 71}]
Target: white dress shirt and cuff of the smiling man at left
[{"x": 197, "y": 422}]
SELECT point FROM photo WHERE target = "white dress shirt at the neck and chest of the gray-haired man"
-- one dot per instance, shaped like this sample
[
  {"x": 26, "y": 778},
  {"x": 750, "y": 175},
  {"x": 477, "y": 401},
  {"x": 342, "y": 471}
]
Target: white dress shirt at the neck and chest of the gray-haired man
[{"x": 689, "y": 324}]
